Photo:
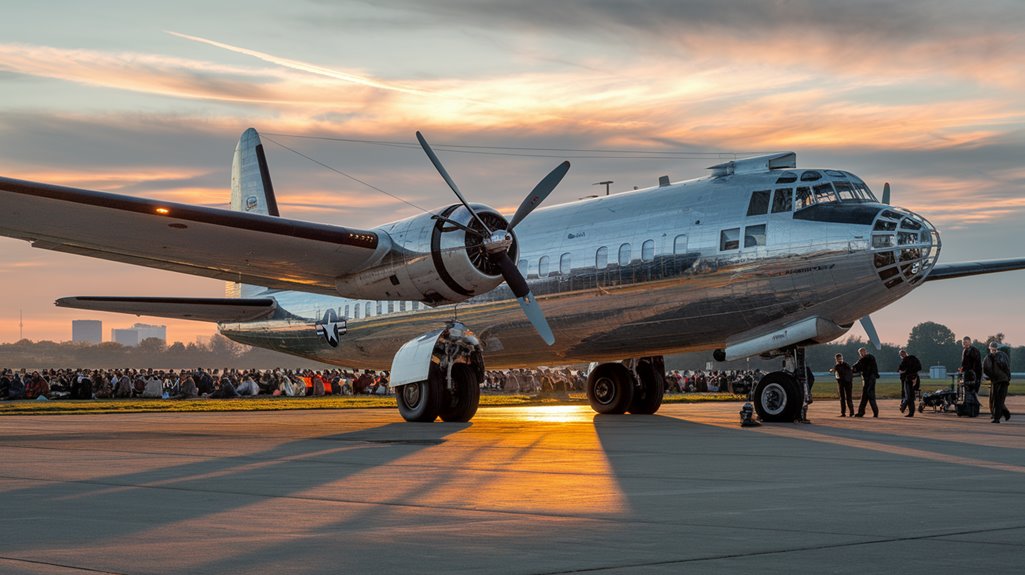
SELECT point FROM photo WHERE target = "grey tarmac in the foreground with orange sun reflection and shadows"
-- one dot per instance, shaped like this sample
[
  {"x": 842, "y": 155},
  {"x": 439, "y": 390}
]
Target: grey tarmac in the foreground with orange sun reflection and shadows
[{"x": 554, "y": 489}]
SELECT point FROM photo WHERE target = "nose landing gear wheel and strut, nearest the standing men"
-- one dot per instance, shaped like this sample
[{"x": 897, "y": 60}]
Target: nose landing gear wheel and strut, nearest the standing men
[{"x": 783, "y": 396}]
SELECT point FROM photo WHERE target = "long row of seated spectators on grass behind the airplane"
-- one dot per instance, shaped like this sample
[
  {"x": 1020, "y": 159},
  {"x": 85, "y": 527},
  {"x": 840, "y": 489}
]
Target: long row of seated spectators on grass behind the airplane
[{"x": 223, "y": 384}]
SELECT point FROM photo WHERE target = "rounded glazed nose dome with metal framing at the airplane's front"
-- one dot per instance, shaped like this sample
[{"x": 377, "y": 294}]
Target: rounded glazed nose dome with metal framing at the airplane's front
[{"x": 906, "y": 247}]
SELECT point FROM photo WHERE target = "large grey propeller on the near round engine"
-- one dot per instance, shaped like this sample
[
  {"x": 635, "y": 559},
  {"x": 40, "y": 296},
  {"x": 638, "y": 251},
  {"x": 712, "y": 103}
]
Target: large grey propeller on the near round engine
[{"x": 498, "y": 242}]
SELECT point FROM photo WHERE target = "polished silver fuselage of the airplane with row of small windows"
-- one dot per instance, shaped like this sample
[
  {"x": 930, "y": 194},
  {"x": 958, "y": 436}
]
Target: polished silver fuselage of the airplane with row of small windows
[{"x": 700, "y": 265}]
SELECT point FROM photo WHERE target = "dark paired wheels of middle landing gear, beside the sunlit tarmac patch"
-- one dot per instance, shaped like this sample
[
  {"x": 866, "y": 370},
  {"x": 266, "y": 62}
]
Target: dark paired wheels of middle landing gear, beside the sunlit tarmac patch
[{"x": 634, "y": 386}]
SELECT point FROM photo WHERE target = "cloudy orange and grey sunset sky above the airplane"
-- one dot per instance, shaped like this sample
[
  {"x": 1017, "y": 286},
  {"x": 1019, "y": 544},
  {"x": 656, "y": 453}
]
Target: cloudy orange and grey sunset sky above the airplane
[{"x": 149, "y": 99}]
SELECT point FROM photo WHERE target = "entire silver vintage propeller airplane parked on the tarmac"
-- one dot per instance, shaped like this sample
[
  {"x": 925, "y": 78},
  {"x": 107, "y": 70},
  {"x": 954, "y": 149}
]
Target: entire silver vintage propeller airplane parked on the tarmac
[{"x": 758, "y": 258}]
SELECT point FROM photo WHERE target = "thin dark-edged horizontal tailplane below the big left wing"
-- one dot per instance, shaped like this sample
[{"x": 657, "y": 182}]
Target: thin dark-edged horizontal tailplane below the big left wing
[{"x": 197, "y": 309}]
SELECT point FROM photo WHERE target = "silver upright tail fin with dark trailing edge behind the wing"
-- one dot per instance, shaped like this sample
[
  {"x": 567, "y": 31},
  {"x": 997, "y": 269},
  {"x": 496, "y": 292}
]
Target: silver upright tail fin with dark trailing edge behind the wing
[{"x": 252, "y": 192}]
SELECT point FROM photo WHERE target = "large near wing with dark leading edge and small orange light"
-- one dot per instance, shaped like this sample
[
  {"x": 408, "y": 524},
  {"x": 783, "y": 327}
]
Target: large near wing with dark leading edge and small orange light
[{"x": 226, "y": 245}]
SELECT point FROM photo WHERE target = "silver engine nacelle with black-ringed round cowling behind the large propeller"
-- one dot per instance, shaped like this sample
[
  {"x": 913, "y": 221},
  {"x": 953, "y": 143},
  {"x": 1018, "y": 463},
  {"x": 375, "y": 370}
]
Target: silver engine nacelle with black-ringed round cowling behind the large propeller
[{"x": 432, "y": 261}]
